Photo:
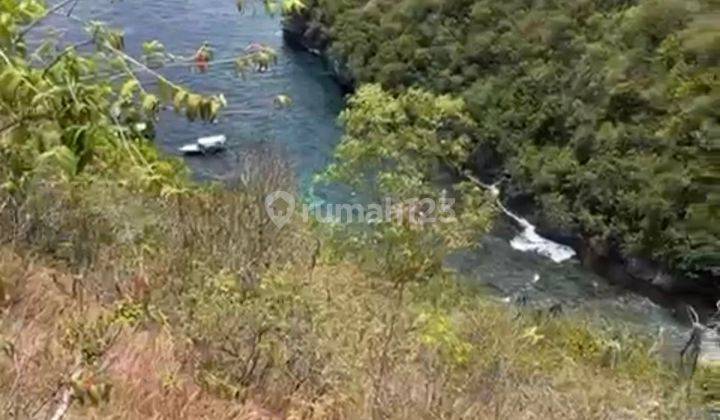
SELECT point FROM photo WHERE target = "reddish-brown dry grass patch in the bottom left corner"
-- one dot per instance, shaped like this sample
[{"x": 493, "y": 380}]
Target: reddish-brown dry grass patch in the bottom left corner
[{"x": 149, "y": 370}]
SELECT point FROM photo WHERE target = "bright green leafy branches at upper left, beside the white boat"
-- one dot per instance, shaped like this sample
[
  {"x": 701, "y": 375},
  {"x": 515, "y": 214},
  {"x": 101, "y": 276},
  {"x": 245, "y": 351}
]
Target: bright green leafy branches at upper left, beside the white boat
[{"x": 89, "y": 112}]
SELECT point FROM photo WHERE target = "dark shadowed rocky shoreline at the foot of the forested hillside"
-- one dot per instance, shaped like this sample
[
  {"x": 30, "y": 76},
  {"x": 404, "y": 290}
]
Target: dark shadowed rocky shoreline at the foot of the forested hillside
[{"x": 635, "y": 273}]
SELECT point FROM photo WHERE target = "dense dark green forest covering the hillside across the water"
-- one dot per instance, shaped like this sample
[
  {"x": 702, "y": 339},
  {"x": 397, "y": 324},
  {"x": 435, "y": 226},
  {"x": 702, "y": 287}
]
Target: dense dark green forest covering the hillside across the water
[{"x": 604, "y": 112}]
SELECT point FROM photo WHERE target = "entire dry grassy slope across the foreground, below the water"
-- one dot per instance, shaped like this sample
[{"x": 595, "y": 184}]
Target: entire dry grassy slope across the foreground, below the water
[{"x": 195, "y": 306}]
